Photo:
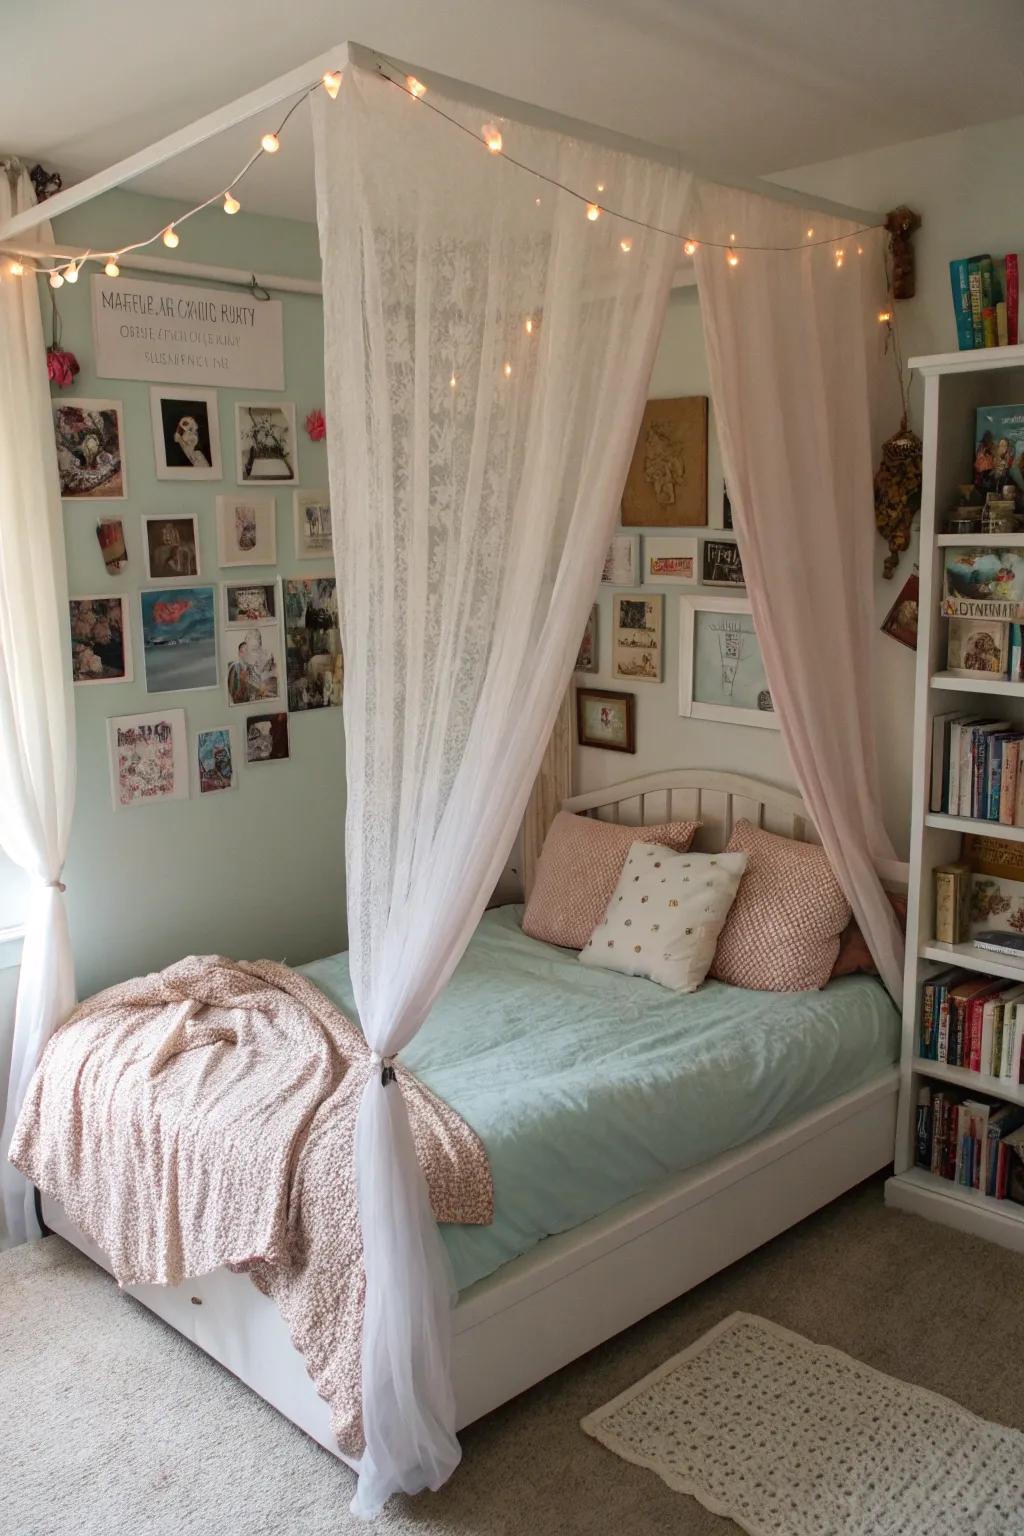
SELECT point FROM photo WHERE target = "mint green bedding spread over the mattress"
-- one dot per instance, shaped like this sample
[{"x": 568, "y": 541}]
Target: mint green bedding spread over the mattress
[{"x": 587, "y": 1087}]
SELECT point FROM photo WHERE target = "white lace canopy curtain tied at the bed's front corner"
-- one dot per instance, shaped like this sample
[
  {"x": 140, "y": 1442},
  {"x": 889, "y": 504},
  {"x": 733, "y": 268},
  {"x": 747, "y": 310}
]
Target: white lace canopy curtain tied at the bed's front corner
[{"x": 487, "y": 356}]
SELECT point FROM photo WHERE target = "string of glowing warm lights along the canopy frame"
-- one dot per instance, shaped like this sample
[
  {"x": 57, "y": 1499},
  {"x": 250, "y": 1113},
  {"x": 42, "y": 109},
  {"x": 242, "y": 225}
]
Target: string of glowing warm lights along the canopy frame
[{"x": 68, "y": 270}]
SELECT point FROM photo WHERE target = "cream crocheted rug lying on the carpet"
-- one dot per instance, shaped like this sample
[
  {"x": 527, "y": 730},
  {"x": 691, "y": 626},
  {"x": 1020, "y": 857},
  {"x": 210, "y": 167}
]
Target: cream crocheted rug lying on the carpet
[{"x": 791, "y": 1438}]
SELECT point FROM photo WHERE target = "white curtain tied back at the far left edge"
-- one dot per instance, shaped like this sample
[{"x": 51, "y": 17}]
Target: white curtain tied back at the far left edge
[{"x": 38, "y": 724}]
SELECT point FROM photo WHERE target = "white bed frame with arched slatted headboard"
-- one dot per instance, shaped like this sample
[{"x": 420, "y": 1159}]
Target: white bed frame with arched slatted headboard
[{"x": 581, "y": 1288}]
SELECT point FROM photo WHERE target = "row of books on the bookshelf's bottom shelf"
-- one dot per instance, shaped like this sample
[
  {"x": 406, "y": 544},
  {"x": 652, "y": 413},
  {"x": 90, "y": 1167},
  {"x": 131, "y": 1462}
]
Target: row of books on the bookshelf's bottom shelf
[{"x": 976, "y": 1142}]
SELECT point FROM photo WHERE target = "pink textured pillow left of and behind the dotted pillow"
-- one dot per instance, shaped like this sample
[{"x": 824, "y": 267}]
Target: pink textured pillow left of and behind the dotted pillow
[{"x": 580, "y": 870}]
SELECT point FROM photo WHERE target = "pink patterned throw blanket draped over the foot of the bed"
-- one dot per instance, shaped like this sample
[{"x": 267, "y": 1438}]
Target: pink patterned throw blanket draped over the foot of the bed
[{"x": 205, "y": 1116}]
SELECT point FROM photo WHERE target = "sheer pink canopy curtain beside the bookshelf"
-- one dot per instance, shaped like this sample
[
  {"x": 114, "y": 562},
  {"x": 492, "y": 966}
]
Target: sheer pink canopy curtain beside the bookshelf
[{"x": 794, "y": 359}]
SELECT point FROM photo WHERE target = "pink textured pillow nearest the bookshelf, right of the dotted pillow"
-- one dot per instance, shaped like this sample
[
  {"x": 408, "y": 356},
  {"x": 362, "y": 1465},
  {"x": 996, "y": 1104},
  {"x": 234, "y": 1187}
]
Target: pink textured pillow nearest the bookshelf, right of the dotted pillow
[{"x": 785, "y": 925}]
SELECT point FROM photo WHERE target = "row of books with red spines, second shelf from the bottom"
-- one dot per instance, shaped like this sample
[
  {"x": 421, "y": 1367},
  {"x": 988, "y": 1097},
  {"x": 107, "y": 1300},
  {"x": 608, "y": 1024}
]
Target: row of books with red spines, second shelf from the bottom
[{"x": 973, "y": 1022}]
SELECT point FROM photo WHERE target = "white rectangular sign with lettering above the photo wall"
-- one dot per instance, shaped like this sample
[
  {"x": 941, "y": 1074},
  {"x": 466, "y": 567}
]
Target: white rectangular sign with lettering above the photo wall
[{"x": 187, "y": 336}]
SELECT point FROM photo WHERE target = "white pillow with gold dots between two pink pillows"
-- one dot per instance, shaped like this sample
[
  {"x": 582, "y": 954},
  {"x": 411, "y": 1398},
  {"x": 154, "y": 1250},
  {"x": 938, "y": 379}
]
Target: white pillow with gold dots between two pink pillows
[{"x": 666, "y": 916}]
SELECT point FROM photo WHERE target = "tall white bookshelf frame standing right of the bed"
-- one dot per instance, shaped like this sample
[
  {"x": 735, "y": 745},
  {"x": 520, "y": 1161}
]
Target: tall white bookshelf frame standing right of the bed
[{"x": 956, "y": 385}]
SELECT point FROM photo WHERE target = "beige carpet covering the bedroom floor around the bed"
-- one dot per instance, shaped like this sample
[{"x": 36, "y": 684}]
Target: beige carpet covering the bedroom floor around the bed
[{"x": 111, "y": 1423}]
